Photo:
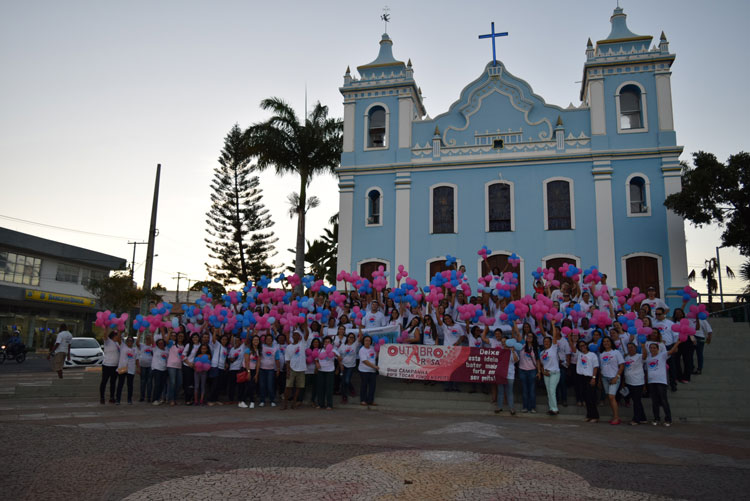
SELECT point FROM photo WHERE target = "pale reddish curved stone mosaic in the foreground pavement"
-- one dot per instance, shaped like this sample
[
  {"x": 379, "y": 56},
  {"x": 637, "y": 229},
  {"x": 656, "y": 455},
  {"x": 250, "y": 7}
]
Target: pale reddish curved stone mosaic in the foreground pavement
[{"x": 423, "y": 475}]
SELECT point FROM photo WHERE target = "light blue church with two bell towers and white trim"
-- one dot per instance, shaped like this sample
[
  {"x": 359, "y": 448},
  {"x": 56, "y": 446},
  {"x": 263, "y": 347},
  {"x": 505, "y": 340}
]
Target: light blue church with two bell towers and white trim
[{"x": 502, "y": 168}]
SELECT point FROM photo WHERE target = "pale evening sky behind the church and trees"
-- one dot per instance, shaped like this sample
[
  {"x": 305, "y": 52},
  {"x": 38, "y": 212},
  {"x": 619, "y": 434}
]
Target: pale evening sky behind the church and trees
[{"x": 95, "y": 93}]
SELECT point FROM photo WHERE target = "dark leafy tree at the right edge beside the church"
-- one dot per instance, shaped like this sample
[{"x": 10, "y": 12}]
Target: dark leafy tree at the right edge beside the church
[{"x": 717, "y": 192}]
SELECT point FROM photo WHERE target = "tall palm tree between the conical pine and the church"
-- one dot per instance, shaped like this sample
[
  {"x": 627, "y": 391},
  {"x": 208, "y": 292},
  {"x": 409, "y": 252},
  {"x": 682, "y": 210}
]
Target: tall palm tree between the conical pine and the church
[{"x": 305, "y": 149}]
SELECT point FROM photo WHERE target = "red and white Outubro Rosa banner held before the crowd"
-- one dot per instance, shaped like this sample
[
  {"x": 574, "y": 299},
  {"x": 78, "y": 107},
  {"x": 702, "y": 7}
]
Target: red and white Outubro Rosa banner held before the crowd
[{"x": 444, "y": 363}]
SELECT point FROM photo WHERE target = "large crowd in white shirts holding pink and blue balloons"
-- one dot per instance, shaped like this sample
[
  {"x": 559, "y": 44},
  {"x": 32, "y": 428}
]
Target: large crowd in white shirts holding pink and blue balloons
[{"x": 585, "y": 344}]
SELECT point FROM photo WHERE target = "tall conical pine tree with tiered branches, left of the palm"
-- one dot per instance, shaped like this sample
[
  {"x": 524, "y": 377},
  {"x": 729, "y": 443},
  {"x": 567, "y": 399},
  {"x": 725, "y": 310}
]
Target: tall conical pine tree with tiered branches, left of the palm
[{"x": 239, "y": 240}]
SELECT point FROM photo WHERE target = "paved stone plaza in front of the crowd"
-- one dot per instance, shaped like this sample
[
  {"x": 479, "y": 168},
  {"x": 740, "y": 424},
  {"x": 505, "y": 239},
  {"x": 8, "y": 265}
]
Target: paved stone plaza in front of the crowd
[{"x": 75, "y": 448}]
